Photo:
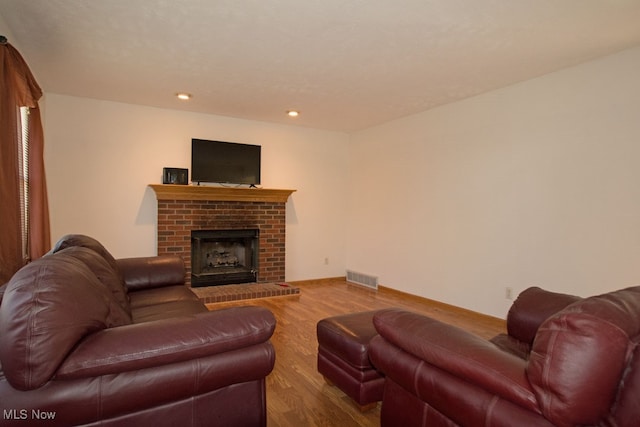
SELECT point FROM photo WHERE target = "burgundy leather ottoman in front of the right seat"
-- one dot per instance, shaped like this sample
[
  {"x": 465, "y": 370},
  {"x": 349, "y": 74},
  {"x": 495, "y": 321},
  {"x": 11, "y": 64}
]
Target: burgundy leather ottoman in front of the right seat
[{"x": 343, "y": 357}]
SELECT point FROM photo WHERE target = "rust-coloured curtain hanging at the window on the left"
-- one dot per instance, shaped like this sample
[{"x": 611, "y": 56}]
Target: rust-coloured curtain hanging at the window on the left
[{"x": 18, "y": 88}]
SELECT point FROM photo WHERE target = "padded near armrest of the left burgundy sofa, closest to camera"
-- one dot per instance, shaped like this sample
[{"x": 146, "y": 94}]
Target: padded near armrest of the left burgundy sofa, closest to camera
[{"x": 162, "y": 342}]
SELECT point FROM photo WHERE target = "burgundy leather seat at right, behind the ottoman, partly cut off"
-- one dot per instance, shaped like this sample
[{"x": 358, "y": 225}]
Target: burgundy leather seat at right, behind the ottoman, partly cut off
[{"x": 566, "y": 361}]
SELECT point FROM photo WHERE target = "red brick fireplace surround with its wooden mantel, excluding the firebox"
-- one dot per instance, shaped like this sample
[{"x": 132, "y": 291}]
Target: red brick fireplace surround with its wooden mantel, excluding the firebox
[{"x": 184, "y": 208}]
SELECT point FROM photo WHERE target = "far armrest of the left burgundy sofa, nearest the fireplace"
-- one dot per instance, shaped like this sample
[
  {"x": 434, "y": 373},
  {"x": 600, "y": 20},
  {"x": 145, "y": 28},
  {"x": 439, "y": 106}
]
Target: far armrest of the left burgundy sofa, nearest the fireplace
[{"x": 151, "y": 272}]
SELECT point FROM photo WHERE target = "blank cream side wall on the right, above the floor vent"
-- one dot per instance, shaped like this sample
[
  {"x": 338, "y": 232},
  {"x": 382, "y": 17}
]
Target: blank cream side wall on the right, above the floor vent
[{"x": 535, "y": 184}]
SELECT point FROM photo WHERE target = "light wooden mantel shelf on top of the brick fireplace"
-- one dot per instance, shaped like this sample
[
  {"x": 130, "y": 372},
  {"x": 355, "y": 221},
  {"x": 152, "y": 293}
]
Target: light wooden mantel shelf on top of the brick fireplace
[{"x": 203, "y": 192}]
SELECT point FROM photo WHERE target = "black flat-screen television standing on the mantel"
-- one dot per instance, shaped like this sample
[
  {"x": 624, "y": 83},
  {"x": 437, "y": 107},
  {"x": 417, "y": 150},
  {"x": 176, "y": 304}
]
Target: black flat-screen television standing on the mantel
[{"x": 224, "y": 162}]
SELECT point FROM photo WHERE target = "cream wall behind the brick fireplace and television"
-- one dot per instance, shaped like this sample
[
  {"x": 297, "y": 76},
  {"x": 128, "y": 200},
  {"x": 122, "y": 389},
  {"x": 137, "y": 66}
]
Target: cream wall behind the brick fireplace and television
[{"x": 100, "y": 156}]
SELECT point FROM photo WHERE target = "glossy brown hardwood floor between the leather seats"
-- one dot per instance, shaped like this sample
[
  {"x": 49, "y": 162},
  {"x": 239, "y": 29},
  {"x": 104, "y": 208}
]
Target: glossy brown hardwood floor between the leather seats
[{"x": 297, "y": 394}]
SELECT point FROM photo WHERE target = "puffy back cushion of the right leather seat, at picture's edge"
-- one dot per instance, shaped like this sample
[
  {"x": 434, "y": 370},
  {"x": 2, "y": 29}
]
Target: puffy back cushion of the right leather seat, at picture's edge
[{"x": 580, "y": 354}]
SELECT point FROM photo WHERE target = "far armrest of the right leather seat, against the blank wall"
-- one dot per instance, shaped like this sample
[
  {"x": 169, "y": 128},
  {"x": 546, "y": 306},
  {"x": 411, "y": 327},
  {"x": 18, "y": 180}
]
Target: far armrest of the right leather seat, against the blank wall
[{"x": 532, "y": 307}]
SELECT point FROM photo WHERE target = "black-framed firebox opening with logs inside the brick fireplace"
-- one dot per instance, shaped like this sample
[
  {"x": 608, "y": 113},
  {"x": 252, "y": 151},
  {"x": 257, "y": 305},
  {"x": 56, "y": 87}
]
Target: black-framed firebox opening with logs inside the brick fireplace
[{"x": 223, "y": 257}]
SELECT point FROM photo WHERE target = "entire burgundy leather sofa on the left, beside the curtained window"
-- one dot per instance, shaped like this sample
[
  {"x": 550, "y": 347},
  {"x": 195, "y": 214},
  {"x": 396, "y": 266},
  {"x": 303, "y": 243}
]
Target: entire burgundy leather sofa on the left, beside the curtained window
[{"x": 89, "y": 340}]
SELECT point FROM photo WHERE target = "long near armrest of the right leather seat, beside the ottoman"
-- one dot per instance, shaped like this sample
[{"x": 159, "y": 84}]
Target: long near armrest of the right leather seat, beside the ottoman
[{"x": 458, "y": 352}]
